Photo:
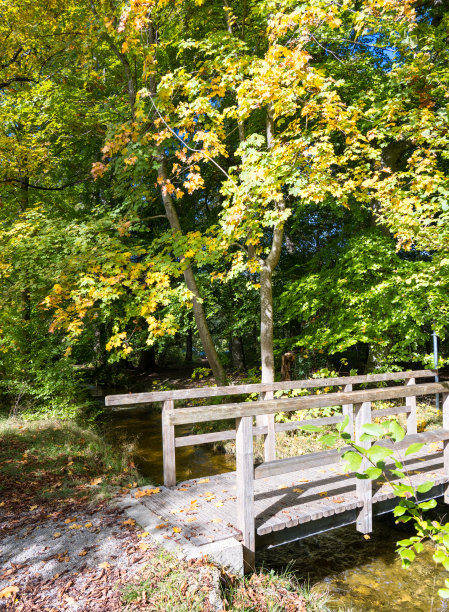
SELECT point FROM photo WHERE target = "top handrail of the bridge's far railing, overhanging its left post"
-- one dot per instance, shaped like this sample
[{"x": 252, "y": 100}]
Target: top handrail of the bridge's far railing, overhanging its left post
[{"x": 181, "y": 394}]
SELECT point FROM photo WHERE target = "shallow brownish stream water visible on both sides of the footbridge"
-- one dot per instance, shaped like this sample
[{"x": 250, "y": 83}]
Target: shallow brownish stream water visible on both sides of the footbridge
[{"x": 359, "y": 574}]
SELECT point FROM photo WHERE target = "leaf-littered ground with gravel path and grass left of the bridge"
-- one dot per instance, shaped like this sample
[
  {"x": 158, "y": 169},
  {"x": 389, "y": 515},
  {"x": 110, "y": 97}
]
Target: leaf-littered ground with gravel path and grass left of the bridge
[{"x": 65, "y": 546}]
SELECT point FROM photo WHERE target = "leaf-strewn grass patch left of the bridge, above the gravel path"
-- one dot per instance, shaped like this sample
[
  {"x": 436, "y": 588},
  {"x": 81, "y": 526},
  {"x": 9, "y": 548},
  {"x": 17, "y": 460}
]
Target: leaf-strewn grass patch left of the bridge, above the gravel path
[{"x": 52, "y": 460}]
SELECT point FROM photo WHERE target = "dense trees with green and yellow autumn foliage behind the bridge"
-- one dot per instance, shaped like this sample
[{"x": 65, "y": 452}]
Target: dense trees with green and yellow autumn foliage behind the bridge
[{"x": 163, "y": 157}]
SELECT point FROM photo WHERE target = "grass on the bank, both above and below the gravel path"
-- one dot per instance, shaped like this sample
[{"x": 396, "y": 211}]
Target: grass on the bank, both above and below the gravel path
[{"x": 51, "y": 468}]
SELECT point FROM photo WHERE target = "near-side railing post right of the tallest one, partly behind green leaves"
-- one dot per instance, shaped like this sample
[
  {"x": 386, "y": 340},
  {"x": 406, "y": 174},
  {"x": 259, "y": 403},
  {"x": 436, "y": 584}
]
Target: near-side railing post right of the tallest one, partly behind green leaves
[{"x": 364, "y": 490}]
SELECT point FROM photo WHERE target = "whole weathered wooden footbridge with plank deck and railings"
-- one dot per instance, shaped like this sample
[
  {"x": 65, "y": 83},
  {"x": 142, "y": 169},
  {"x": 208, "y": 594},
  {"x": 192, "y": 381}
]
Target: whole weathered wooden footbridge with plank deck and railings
[{"x": 282, "y": 500}]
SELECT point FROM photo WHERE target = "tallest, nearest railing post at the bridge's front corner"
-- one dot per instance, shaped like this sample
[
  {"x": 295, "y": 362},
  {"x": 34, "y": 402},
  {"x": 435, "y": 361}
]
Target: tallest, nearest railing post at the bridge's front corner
[{"x": 245, "y": 489}]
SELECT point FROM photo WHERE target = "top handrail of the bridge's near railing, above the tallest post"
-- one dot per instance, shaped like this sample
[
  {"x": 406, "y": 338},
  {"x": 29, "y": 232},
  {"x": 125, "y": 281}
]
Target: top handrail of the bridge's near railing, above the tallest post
[{"x": 237, "y": 410}]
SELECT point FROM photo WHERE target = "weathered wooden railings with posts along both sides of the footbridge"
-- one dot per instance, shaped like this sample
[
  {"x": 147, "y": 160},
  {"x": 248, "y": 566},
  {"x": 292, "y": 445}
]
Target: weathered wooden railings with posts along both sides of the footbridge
[{"x": 355, "y": 403}]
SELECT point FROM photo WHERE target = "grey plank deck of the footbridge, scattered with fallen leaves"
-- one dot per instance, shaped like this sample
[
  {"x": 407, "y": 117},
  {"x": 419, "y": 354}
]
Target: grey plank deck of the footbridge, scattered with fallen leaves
[{"x": 205, "y": 510}]
